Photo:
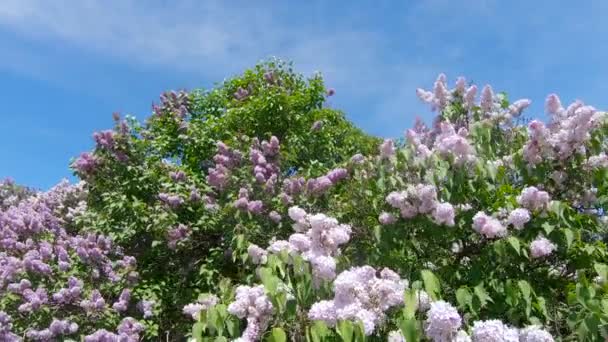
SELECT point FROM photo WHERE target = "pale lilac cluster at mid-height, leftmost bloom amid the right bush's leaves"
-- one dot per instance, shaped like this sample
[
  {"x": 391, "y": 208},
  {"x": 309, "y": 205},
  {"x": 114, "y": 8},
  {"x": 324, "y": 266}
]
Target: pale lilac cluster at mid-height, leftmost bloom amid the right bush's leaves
[{"x": 421, "y": 199}]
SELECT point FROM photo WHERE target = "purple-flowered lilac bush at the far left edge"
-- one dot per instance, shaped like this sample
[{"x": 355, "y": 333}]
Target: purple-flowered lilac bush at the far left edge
[{"x": 41, "y": 263}]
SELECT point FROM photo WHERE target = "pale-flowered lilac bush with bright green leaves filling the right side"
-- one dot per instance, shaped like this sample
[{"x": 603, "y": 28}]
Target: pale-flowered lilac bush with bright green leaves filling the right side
[{"x": 491, "y": 231}]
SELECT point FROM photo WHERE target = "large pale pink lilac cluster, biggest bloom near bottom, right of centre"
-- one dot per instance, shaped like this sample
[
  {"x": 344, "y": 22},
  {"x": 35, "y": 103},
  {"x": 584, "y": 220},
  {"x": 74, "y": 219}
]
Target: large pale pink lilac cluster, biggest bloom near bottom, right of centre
[{"x": 360, "y": 295}]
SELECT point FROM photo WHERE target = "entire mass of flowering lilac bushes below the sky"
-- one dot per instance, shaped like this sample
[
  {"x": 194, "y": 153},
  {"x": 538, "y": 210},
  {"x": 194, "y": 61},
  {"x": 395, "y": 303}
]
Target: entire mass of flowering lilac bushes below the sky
[{"x": 255, "y": 212}]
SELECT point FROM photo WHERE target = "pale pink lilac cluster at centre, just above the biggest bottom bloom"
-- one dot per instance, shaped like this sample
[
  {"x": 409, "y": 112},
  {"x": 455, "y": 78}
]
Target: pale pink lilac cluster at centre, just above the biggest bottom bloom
[{"x": 317, "y": 238}]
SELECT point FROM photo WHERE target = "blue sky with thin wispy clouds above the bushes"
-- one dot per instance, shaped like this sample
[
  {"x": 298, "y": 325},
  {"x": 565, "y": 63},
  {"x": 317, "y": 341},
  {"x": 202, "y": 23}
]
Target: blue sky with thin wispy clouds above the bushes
[{"x": 65, "y": 66}]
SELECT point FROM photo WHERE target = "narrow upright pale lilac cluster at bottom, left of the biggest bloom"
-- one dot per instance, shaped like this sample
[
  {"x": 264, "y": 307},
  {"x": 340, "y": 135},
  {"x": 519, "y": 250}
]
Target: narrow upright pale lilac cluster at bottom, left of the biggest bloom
[{"x": 252, "y": 304}]
